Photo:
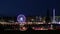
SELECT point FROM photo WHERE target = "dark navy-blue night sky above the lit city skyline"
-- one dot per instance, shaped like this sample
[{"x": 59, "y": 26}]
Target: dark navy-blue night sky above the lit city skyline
[{"x": 28, "y": 7}]
